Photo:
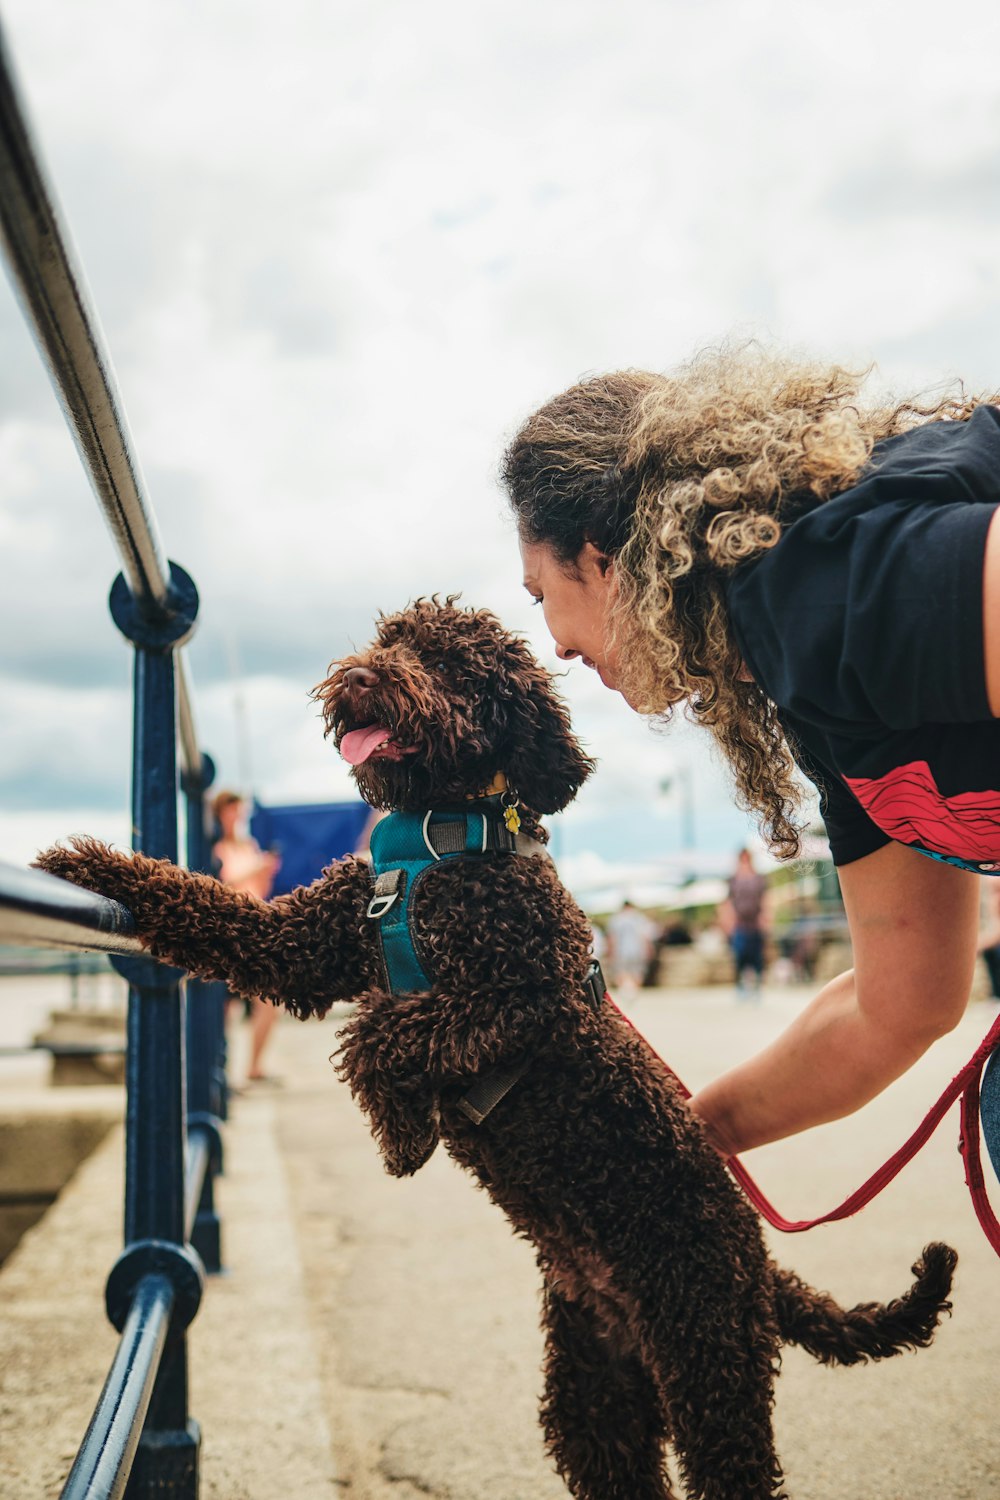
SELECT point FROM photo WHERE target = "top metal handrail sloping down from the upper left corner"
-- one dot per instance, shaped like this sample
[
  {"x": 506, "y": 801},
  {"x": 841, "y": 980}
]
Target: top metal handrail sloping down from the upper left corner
[{"x": 56, "y": 302}]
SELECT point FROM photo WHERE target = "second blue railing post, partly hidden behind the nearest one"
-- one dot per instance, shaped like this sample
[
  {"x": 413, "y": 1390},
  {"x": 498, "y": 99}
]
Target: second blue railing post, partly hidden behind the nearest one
[{"x": 206, "y": 1040}]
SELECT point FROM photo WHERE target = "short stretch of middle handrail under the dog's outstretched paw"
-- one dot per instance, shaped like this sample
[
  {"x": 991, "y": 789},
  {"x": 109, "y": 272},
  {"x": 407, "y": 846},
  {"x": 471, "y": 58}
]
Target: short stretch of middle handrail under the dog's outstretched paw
[{"x": 41, "y": 911}]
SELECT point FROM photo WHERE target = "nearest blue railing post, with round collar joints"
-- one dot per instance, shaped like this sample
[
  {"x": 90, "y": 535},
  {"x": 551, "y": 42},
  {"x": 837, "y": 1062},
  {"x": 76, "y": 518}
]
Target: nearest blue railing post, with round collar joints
[{"x": 157, "y": 1144}]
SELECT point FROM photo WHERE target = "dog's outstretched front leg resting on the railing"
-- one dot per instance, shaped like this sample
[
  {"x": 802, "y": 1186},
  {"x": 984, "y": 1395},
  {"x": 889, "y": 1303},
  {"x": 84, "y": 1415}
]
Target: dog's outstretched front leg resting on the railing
[{"x": 304, "y": 950}]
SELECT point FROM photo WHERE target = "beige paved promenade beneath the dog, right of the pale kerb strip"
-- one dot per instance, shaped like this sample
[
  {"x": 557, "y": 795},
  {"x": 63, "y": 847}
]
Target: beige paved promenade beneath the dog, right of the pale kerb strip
[{"x": 425, "y": 1307}]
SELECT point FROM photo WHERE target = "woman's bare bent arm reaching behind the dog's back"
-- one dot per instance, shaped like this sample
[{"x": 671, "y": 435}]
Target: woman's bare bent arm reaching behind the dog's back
[{"x": 914, "y": 926}]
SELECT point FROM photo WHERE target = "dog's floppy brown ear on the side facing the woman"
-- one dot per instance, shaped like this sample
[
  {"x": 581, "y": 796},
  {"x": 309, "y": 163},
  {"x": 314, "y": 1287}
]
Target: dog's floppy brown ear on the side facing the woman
[{"x": 539, "y": 752}]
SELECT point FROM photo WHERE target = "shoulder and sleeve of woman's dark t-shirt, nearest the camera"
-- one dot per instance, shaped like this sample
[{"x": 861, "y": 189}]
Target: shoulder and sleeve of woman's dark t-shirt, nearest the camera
[{"x": 869, "y": 610}]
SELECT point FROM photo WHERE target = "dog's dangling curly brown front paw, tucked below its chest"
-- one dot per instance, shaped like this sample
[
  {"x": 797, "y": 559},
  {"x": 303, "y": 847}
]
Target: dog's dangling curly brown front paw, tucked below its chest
[{"x": 400, "y": 1103}]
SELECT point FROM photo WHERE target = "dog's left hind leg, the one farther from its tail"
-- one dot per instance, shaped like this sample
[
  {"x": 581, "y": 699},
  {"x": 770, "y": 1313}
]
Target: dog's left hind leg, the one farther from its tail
[{"x": 600, "y": 1412}]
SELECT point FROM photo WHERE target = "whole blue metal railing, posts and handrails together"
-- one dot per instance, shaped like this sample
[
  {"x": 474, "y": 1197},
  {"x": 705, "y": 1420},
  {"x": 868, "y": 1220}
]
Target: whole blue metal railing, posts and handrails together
[{"x": 142, "y": 1439}]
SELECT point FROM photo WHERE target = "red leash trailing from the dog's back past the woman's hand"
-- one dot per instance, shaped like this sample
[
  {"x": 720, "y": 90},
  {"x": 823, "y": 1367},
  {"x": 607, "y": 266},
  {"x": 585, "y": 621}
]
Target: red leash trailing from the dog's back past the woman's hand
[{"x": 965, "y": 1085}]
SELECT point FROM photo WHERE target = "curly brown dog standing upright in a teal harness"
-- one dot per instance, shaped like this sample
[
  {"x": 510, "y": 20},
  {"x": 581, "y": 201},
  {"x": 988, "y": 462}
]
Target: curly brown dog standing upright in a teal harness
[{"x": 663, "y": 1310}]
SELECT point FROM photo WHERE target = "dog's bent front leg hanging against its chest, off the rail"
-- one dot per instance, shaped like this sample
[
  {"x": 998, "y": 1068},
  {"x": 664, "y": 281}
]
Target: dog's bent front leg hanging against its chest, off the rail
[{"x": 385, "y": 1058}]
